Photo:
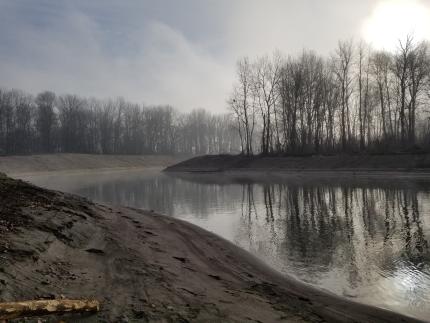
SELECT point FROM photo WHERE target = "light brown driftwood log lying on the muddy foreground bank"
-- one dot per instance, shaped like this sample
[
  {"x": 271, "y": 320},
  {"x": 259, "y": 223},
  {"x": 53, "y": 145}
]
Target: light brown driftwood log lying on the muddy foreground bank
[{"x": 15, "y": 310}]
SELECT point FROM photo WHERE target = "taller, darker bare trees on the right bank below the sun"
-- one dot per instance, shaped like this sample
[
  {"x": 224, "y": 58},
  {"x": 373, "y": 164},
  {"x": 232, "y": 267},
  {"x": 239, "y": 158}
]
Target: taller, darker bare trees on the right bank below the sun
[{"x": 357, "y": 100}]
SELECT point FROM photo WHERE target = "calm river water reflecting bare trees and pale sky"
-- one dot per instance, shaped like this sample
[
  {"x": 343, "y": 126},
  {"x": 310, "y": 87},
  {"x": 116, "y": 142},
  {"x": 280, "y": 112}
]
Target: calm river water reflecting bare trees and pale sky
[{"x": 364, "y": 238}]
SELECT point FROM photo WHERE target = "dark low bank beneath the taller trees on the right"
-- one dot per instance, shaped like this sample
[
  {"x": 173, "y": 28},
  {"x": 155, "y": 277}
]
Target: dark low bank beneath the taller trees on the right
[{"x": 217, "y": 163}]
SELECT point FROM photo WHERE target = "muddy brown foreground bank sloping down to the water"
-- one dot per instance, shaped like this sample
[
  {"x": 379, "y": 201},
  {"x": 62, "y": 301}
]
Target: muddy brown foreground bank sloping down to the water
[{"x": 146, "y": 267}]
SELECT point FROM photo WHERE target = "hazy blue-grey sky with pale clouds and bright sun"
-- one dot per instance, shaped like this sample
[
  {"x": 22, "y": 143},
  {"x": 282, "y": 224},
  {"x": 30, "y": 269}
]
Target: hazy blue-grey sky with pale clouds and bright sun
[{"x": 178, "y": 52}]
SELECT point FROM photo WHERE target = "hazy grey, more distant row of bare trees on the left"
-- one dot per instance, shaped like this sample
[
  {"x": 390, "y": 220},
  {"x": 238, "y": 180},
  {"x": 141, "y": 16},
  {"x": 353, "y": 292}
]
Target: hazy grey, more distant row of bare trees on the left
[{"x": 48, "y": 123}]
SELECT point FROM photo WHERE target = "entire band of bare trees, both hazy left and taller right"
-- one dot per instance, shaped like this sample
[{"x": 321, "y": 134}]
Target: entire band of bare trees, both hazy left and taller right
[{"x": 356, "y": 100}]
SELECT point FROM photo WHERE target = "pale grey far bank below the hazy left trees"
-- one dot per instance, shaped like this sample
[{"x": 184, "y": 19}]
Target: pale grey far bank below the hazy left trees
[{"x": 75, "y": 162}]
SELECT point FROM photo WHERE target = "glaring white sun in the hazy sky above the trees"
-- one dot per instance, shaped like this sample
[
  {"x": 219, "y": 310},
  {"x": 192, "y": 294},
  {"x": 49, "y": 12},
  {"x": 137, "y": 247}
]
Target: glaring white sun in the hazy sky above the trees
[{"x": 393, "y": 20}]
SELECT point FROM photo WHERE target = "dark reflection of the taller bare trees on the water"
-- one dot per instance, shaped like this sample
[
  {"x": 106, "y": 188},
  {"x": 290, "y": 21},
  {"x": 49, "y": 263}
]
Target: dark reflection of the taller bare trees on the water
[{"x": 363, "y": 242}]
